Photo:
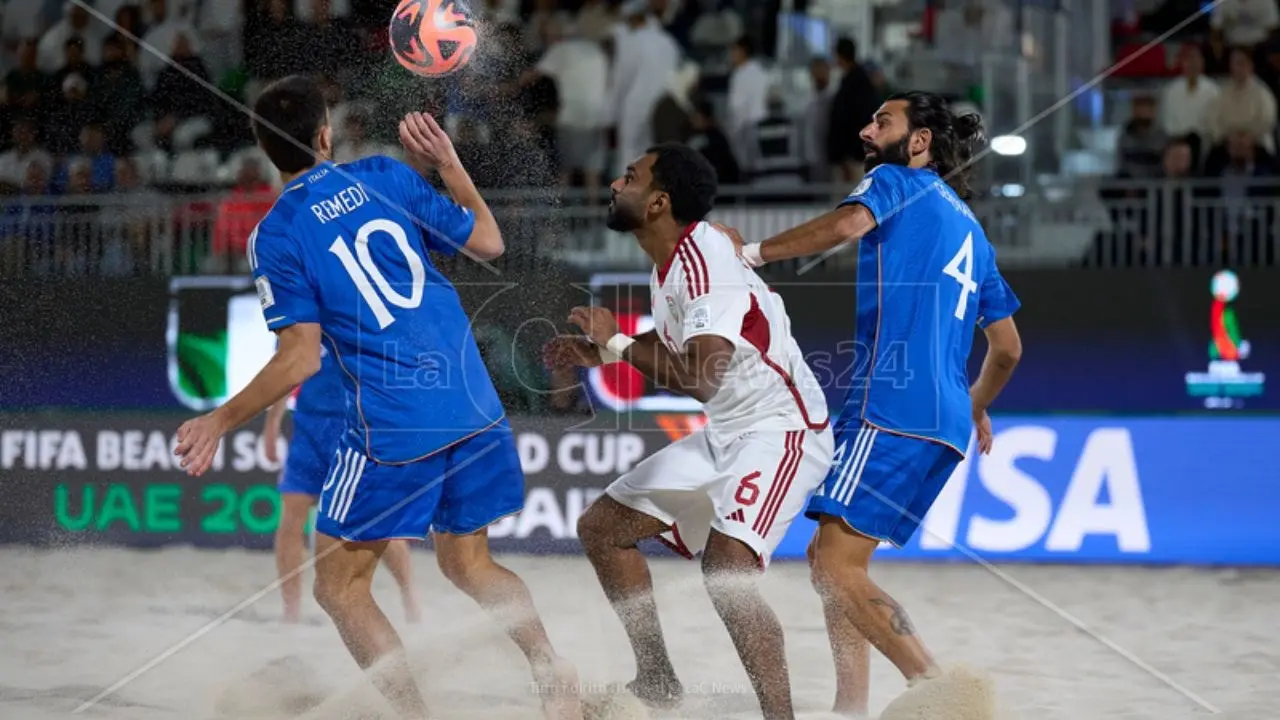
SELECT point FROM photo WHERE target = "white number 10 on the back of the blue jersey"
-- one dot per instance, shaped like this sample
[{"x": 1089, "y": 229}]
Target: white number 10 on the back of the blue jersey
[{"x": 369, "y": 280}]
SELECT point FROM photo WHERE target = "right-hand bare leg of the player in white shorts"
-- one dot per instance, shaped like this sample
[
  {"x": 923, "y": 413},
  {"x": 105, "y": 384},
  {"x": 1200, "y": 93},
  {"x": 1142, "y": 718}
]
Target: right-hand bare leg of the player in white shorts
[{"x": 730, "y": 571}]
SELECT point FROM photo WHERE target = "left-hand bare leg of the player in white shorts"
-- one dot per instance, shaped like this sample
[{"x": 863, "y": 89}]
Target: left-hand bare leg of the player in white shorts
[{"x": 610, "y": 532}]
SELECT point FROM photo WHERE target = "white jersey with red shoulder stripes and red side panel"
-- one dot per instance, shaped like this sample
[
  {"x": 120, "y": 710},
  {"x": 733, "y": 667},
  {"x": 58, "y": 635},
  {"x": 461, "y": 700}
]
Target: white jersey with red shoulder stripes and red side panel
[{"x": 706, "y": 289}]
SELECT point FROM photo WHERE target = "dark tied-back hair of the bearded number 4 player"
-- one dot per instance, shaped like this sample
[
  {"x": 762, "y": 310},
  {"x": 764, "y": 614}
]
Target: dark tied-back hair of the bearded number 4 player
[{"x": 956, "y": 138}]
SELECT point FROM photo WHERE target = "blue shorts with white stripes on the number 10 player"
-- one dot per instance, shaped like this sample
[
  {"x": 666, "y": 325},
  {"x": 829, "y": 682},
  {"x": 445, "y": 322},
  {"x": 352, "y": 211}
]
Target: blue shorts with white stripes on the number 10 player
[{"x": 460, "y": 490}]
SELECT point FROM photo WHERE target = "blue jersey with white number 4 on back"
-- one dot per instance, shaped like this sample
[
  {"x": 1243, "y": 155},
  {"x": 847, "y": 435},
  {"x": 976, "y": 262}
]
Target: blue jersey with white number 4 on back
[{"x": 926, "y": 277}]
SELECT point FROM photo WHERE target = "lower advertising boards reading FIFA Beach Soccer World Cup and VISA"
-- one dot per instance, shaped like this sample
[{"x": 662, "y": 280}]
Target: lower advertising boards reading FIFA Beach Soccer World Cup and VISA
[{"x": 1054, "y": 490}]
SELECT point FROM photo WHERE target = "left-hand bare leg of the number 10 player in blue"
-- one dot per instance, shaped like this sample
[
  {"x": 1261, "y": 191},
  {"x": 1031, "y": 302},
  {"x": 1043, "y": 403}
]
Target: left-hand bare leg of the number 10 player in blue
[{"x": 344, "y": 578}]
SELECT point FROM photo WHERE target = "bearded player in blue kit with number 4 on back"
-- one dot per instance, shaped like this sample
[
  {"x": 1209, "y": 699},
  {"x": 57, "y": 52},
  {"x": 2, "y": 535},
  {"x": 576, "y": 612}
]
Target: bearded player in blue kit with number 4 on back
[{"x": 926, "y": 277}]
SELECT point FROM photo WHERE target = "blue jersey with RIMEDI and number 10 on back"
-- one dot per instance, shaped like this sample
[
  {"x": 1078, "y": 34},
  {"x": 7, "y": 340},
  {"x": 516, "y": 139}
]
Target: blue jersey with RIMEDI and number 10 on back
[{"x": 346, "y": 247}]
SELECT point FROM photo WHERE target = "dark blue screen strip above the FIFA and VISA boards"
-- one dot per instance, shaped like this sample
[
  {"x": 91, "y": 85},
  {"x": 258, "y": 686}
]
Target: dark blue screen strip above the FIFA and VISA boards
[{"x": 1096, "y": 341}]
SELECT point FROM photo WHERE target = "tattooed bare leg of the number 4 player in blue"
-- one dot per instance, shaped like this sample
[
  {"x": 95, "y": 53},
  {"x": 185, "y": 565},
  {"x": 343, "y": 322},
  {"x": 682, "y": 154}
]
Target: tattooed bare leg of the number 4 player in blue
[{"x": 840, "y": 563}]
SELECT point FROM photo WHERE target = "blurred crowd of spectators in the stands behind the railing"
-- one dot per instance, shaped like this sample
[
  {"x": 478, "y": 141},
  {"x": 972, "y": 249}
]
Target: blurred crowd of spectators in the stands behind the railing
[{"x": 140, "y": 106}]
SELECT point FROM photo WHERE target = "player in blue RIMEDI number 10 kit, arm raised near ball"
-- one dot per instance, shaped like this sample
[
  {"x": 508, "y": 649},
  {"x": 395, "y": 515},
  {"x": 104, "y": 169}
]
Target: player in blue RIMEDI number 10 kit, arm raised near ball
[{"x": 342, "y": 262}]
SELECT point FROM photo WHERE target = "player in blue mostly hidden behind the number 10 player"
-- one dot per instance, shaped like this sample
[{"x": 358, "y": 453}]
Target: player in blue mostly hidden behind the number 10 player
[{"x": 319, "y": 421}]
